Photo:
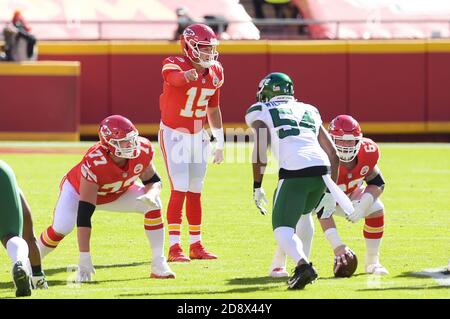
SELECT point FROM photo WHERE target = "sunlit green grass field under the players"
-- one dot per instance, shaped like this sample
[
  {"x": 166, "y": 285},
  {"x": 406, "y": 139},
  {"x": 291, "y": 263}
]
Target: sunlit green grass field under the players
[{"x": 417, "y": 235}]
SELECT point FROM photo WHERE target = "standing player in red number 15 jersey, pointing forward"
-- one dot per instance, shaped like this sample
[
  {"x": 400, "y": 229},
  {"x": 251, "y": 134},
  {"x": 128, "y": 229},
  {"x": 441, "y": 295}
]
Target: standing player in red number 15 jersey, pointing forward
[{"x": 191, "y": 92}]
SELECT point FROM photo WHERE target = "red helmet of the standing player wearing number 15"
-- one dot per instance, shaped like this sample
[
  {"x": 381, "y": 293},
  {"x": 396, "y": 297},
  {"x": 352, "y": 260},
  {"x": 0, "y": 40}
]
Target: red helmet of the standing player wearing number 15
[{"x": 195, "y": 37}]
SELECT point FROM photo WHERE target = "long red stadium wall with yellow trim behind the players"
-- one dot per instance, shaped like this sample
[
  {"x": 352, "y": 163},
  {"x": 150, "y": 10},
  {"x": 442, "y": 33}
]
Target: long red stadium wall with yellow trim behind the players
[{"x": 390, "y": 86}]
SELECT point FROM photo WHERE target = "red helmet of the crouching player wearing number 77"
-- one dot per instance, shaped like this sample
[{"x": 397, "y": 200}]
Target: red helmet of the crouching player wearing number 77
[{"x": 119, "y": 136}]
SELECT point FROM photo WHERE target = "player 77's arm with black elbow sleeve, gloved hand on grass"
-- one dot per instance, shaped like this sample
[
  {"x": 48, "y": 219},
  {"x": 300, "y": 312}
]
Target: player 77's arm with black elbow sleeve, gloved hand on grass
[{"x": 86, "y": 207}]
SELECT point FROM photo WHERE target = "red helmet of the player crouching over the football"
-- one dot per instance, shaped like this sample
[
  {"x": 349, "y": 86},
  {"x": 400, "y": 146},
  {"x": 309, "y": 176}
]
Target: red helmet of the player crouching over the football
[{"x": 346, "y": 128}]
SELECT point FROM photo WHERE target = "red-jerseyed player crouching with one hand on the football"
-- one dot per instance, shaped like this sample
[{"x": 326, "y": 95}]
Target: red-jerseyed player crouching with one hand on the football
[{"x": 358, "y": 158}]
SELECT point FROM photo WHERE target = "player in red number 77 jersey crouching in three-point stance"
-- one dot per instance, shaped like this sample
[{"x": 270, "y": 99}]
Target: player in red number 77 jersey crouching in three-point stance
[{"x": 106, "y": 179}]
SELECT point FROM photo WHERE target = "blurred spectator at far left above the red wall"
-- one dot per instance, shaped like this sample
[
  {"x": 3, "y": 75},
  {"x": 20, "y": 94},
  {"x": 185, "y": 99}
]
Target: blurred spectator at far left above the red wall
[{"x": 20, "y": 44}]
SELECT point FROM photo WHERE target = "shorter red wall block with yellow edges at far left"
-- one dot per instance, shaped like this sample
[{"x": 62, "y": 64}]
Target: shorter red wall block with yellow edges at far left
[{"x": 39, "y": 101}]
